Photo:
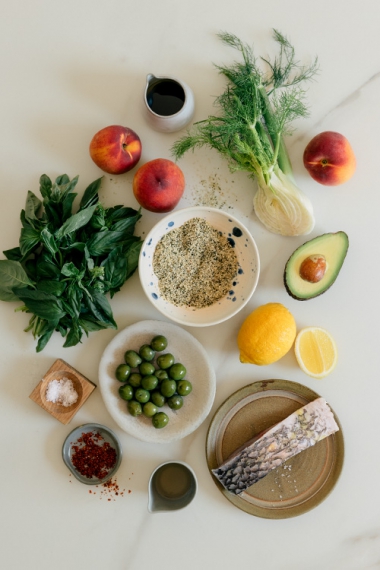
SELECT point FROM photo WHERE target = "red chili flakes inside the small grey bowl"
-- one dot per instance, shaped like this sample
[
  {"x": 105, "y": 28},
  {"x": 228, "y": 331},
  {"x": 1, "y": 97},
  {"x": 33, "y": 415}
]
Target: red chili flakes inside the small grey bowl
[{"x": 92, "y": 456}]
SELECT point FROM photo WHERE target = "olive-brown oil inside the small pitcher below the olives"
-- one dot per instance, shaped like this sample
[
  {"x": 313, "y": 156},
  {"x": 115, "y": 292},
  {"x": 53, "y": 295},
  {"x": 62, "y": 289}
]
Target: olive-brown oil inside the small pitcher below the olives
[{"x": 173, "y": 481}]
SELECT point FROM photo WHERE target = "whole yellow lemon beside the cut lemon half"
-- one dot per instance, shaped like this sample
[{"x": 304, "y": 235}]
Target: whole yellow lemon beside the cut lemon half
[{"x": 266, "y": 335}]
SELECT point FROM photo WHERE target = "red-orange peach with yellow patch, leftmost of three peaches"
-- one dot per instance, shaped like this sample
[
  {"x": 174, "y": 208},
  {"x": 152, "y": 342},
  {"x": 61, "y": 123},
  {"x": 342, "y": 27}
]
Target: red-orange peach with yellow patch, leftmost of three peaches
[{"x": 115, "y": 149}]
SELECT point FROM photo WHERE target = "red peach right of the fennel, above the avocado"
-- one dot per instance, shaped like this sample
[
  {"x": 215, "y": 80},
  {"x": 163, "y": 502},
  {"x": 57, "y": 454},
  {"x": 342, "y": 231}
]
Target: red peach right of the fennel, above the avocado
[{"x": 329, "y": 158}]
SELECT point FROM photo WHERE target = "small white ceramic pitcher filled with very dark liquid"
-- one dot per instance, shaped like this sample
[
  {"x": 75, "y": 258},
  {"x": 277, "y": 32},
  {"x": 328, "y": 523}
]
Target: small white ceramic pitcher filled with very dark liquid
[{"x": 168, "y": 103}]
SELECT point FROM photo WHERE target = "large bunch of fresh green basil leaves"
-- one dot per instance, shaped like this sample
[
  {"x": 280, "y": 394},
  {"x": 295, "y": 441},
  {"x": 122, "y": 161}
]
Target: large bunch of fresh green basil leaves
[{"x": 66, "y": 263}]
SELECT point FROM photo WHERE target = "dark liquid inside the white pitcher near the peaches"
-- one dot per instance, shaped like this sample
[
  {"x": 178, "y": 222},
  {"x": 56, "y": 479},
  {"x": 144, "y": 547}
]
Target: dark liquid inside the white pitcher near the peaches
[{"x": 165, "y": 97}]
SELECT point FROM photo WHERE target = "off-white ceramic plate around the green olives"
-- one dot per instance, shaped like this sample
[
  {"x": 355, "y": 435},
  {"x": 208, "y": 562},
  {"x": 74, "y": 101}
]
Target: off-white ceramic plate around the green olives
[{"x": 186, "y": 349}]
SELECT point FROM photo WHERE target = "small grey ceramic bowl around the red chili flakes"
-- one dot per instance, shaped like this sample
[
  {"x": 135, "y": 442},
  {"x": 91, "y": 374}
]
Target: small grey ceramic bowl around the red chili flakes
[{"x": 107, "y": 435}]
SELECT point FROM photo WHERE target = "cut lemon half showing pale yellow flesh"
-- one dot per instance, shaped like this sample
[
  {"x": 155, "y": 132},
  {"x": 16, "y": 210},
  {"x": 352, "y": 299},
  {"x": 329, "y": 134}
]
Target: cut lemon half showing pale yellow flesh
[{"x": 316, "y": 351}]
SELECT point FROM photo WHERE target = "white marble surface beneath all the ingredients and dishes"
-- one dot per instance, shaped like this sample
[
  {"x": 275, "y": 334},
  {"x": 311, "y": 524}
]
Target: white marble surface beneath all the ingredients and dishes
[{"x": 70, "y": 68}]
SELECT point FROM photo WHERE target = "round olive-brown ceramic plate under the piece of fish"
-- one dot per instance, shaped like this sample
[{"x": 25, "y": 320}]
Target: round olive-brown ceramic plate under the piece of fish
[{"x": 299, "y": 484}]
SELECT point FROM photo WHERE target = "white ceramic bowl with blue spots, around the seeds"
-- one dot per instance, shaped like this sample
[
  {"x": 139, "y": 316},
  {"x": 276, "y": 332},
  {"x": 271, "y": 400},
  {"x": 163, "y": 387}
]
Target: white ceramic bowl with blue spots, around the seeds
[{"x": 242, "y": 287}]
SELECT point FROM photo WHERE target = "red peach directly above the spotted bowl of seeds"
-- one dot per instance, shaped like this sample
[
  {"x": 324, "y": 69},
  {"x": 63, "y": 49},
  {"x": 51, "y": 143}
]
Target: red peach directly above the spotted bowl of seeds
[{"x": 158, "y": 185}]
